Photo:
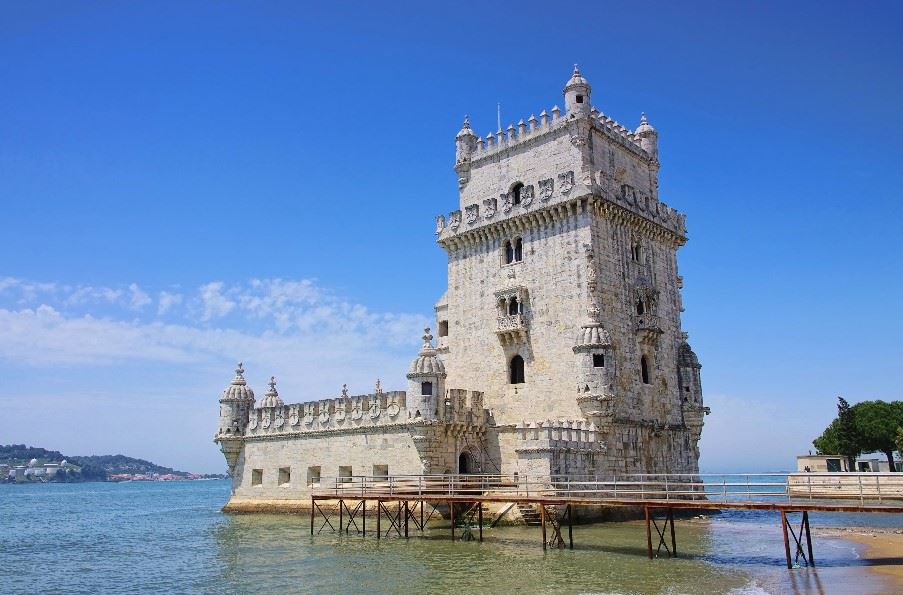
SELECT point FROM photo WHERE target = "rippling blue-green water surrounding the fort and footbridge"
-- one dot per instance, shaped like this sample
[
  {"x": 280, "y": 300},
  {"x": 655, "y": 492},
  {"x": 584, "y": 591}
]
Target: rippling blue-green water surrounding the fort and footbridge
[{"x": 171, "y": 538}]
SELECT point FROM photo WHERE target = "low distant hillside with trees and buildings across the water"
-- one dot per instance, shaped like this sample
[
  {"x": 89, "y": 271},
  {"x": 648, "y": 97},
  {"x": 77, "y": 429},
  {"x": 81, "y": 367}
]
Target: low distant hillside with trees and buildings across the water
[{"x": 94, "y": 467}]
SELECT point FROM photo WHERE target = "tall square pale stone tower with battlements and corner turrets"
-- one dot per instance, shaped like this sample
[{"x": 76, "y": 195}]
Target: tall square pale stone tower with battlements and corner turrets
[{"x": 563, "y": 303}]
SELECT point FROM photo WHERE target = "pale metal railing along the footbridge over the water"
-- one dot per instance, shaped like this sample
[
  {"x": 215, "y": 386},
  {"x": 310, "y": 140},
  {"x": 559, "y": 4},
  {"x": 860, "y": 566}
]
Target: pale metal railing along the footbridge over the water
[{"x": 866, "y": 488}]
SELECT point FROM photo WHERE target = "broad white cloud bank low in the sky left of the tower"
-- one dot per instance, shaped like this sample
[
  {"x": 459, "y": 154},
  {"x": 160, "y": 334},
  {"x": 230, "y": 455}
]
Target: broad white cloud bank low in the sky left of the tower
[{"x": 300, "y": 322}]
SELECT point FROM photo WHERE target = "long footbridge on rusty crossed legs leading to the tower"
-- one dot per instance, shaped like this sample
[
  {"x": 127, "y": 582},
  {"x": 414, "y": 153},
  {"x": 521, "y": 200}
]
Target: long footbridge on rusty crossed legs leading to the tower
[{"x": 399, "y": 502}]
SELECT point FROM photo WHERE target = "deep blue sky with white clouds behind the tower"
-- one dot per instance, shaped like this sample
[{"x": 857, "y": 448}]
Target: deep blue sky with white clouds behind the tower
[{"x": 185, "y": 185}]
